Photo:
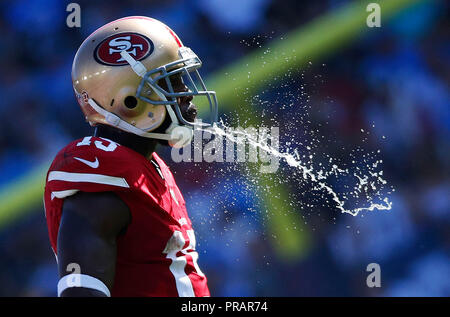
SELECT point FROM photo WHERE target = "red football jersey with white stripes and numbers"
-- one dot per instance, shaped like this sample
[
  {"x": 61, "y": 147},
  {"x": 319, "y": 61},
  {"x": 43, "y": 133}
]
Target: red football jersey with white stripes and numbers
[{"x": 156, "y": 256}]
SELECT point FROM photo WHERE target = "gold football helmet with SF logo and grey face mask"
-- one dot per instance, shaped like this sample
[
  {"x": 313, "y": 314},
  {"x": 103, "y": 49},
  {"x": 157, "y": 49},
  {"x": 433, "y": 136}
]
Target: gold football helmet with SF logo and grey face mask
[{"x": 122, "y": 77}]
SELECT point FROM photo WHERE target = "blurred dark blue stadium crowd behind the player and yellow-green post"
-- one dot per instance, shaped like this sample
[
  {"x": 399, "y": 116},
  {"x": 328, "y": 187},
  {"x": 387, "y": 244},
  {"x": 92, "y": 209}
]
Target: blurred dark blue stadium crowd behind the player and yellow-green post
[{"x": 396, "y": 77}]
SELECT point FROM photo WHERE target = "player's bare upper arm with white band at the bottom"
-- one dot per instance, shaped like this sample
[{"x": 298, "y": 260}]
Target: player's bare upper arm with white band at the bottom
[{"x": 90, "y": 224}]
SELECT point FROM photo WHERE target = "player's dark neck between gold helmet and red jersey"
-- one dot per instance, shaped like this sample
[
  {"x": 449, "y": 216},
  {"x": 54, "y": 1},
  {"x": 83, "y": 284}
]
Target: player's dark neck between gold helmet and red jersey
[{"x": 139, "y": 144}]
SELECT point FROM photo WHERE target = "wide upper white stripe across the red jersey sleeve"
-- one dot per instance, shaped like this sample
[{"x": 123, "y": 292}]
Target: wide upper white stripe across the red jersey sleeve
[{"x": 87, "y": 178}]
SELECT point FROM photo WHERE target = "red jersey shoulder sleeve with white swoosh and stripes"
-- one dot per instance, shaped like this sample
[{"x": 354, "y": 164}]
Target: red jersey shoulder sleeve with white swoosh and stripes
[{"x": 90, "y": 165}]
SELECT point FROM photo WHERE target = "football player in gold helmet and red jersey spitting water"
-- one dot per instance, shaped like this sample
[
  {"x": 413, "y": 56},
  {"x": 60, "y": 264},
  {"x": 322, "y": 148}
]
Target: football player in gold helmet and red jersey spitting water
[{"x": 117, "y": 221}]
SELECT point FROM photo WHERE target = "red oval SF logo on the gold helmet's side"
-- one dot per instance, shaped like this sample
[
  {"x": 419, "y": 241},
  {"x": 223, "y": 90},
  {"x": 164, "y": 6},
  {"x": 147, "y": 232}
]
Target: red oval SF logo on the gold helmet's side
[{"x": 108, "y": 51}]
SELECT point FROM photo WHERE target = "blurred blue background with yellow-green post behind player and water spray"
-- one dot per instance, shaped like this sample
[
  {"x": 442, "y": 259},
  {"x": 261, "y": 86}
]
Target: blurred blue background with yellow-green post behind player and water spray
[{"x": 391, "y": 81}]
